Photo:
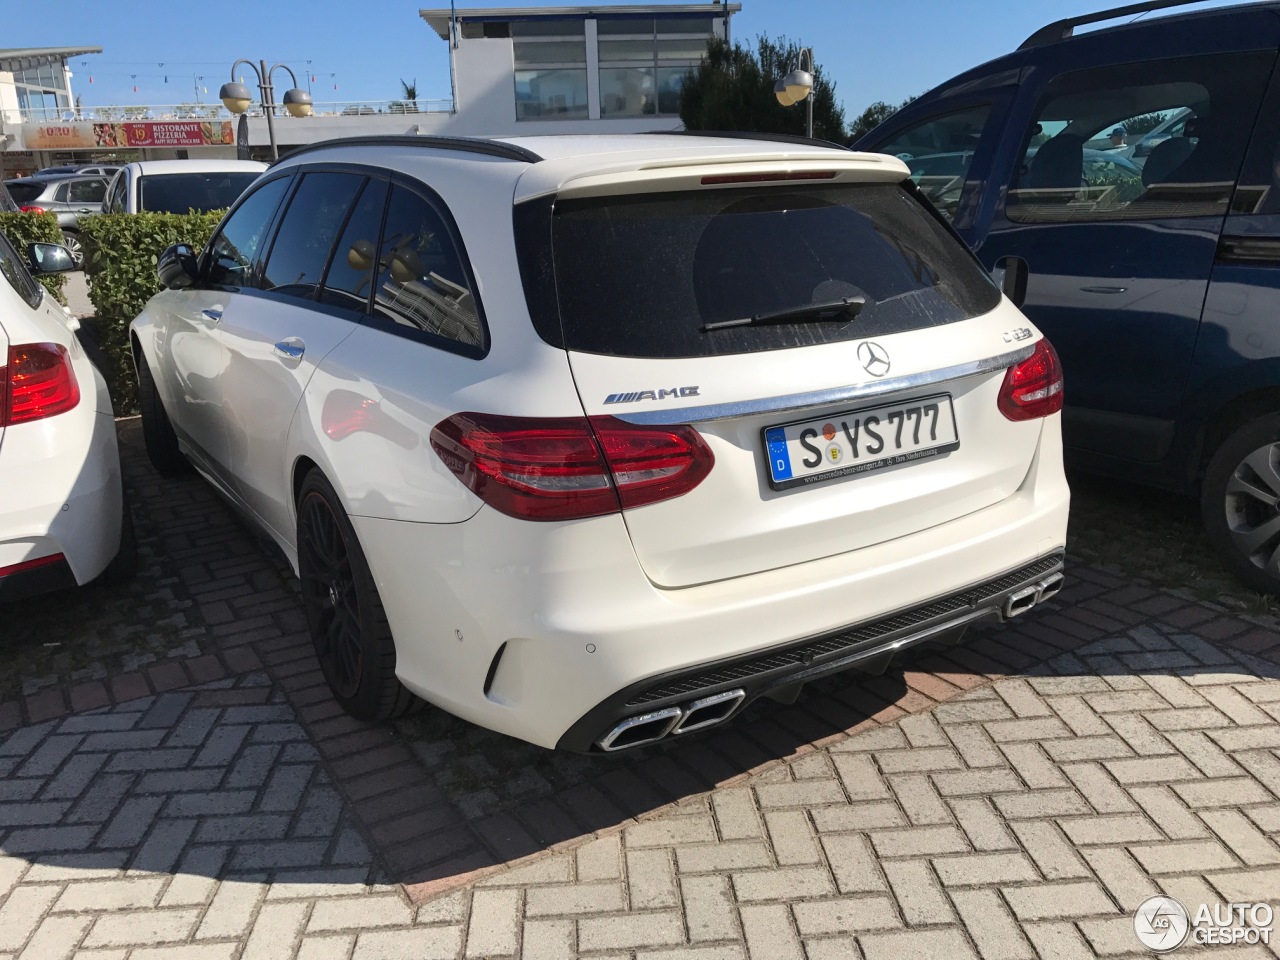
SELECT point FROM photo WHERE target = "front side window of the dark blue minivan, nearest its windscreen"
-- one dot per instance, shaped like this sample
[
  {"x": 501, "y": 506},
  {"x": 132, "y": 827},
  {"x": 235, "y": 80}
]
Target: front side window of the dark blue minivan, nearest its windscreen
[{"x": 939, "y": 153}]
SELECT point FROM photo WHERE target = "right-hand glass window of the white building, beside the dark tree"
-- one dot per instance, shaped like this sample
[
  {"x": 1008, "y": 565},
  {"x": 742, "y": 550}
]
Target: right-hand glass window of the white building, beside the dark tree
[{"x": 644, "y": 61}]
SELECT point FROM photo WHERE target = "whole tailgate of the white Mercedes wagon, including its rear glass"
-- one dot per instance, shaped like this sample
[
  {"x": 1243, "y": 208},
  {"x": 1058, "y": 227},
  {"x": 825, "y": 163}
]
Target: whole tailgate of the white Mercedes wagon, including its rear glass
[{"x": 879, "y": 386}]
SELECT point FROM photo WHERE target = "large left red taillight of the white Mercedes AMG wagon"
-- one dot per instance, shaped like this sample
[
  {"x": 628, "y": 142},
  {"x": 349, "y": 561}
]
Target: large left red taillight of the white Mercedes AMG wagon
[{"x": 570, "y": 468}]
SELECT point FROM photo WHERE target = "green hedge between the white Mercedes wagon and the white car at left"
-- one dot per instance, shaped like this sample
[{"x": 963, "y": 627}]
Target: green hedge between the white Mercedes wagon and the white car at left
[{"x": 121, "y": 255}]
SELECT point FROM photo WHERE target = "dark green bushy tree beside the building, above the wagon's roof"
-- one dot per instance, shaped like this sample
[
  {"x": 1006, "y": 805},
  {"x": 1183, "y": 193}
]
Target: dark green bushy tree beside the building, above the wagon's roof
[{"x": 733, "y": 90}]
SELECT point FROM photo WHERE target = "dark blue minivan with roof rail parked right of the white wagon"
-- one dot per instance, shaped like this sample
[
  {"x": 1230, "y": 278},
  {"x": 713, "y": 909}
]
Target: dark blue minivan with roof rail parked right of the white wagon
[{"x": 1136, "y": 170}]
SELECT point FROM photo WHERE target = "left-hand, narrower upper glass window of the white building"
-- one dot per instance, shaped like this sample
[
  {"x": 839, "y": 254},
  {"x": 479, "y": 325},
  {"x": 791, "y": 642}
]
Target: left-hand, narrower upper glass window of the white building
[{"x": 551, "y": 70}]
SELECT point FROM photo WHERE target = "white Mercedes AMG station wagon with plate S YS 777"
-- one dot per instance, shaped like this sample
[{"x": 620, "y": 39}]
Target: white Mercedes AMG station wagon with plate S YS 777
[{"x": 593, "y": 441}]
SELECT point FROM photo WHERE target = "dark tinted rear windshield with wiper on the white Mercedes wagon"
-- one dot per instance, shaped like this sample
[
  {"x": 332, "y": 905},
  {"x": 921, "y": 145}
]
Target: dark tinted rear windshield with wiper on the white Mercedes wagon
[{"x": 641, "y": 276}]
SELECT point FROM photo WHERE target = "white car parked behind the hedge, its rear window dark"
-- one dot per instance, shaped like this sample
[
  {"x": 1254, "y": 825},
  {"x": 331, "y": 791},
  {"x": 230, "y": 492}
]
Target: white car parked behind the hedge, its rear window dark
[{"x": 180, "y": 186}]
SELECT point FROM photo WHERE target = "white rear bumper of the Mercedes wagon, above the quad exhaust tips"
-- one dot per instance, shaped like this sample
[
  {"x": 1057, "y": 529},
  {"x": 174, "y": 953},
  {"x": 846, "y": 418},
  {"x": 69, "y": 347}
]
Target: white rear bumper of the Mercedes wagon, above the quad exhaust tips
[{"x": 541, "y": 630}]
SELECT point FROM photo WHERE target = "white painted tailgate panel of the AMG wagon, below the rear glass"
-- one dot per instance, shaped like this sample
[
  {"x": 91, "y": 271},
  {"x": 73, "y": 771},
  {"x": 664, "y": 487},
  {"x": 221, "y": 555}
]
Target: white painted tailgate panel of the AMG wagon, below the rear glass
[{"x": 743, "y": 519}]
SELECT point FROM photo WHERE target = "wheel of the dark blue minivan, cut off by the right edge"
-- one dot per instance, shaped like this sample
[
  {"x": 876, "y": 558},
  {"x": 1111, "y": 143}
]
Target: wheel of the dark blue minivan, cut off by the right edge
[{"x": 1241, "y": 504}]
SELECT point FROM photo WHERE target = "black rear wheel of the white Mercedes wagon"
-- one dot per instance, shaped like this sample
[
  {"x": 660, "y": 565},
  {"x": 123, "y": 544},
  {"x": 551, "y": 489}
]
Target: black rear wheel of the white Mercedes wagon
[{"x": 345, "y": 614}]
